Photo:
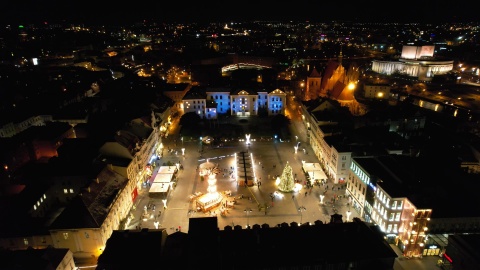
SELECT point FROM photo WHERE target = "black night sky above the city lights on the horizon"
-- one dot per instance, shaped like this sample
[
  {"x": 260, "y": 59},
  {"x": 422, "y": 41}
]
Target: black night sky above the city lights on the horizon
[{"x": 28, "y": 11}]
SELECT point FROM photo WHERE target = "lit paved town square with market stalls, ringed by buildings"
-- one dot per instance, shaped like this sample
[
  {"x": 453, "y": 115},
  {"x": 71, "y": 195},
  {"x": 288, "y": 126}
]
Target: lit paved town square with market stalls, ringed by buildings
[{"x": 214, "y": 183}]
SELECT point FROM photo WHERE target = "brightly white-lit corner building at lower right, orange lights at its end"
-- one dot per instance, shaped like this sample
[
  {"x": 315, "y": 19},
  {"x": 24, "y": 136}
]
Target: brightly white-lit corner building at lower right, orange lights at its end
[{"x": 380, "y": 196}]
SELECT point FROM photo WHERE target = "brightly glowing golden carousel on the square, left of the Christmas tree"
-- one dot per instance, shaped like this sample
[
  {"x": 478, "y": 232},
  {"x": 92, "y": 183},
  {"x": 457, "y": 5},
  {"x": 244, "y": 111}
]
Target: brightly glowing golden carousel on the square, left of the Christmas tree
[{"x": 212, "y": 198}]
